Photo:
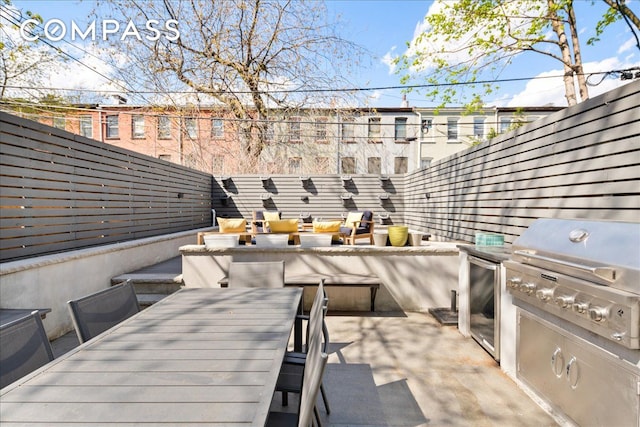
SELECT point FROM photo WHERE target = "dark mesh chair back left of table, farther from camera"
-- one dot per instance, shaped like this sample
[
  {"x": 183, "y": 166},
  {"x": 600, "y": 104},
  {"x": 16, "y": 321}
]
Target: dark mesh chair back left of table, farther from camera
[{"x": 102, "y": 310}]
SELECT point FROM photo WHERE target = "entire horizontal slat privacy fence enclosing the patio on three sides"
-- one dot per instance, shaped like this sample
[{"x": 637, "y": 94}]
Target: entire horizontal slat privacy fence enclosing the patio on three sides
[{"x": 60, "y": 191}]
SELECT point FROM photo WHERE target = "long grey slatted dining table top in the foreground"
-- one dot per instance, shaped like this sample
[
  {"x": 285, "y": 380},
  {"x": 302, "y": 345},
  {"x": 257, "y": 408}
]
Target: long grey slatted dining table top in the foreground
[{"x": 205, "y": 356}]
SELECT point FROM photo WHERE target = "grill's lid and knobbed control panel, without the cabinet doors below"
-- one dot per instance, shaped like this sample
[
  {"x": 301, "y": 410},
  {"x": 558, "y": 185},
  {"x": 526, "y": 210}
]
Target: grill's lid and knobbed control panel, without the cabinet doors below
[{"x": 585, "y": 272}]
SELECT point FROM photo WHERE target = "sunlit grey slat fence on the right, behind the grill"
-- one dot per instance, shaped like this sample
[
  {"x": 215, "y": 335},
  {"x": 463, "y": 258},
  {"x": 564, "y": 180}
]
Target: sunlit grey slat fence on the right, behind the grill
[{"x": 579, "y": 163}]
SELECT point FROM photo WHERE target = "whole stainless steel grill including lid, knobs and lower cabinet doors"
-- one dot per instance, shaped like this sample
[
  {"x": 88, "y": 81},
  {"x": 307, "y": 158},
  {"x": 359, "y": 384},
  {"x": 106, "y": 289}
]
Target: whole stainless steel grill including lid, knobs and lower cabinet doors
[{"x": 577, "y": 287}]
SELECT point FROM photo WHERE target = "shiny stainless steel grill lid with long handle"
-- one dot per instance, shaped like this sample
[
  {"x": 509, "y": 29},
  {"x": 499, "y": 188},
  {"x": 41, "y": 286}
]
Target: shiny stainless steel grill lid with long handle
[{"x": 605, "y": 252}]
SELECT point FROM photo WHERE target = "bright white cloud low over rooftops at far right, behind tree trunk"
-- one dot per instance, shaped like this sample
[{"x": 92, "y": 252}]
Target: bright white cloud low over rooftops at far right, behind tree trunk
[{"x": 545, "y": 90}]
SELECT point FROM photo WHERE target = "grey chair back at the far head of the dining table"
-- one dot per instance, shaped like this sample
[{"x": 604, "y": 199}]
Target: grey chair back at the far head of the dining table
[{"x": 256, "y": 274}]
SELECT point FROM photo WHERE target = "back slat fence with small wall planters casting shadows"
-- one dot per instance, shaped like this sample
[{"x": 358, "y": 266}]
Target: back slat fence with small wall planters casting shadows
[{"x": 322, "y": 193}]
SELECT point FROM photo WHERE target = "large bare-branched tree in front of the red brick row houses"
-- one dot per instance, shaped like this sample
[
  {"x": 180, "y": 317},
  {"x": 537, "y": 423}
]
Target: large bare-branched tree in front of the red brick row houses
[{"x": 247, "y": 55}]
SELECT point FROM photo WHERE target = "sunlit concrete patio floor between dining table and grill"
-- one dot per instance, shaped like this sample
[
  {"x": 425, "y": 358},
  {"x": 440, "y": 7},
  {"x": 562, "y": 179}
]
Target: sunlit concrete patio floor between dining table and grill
[{"x": 405, "y": 369}]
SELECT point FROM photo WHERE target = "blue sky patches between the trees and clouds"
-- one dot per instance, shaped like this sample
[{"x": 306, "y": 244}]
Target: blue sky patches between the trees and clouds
[{"x": 385, "y": 26}]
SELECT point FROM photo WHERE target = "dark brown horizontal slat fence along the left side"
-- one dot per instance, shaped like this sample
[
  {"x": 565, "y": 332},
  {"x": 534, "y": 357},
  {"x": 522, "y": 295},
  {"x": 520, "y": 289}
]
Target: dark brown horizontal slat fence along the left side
[{"x": 60, "y": 191}]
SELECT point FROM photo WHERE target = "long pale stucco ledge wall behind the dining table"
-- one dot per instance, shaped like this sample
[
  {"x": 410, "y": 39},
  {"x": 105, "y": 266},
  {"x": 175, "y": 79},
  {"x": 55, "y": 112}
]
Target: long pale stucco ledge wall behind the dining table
[{"x": 413, "y": 278}]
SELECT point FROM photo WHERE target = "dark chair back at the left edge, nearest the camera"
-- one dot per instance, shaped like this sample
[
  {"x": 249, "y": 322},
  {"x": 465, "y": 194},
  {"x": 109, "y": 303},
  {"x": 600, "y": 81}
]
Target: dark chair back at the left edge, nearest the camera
[{"x": 24, "y": 348}]
